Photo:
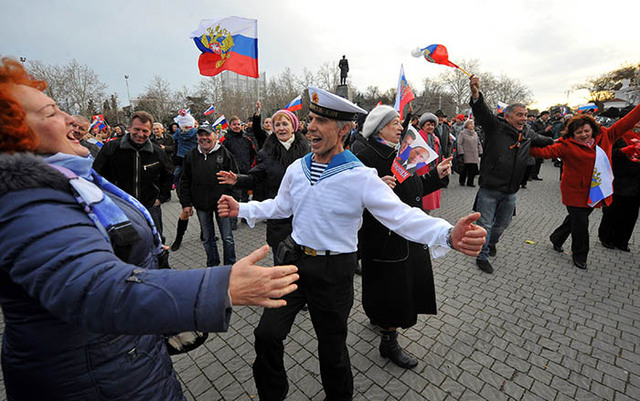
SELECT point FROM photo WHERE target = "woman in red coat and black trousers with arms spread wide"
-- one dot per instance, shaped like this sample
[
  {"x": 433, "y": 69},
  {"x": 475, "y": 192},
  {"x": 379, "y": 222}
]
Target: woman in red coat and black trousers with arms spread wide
[{"x": 577, "y": 149}]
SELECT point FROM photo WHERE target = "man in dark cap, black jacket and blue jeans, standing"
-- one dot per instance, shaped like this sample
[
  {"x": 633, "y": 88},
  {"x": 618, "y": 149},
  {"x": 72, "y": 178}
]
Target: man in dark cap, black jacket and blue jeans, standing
[{"x": 199, "y": 188}]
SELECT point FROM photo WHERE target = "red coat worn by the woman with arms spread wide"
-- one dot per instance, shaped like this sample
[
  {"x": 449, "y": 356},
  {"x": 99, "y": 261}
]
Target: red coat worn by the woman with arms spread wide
[{"x": 578, "y": 159}]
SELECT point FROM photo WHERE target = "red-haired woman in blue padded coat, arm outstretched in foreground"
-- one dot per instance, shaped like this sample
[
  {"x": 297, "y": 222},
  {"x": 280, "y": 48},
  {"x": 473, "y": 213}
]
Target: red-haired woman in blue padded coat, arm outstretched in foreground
[{"x": 84, "y": 302}]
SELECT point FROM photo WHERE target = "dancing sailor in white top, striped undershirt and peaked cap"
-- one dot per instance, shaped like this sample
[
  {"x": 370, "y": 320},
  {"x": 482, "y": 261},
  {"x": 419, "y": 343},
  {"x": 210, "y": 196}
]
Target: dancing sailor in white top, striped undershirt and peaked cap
[{"x": 326, "y": 192}]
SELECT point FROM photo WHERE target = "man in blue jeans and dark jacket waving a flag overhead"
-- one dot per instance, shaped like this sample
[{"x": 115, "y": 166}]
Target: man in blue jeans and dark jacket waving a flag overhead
[{"x": 503, "y": 164}]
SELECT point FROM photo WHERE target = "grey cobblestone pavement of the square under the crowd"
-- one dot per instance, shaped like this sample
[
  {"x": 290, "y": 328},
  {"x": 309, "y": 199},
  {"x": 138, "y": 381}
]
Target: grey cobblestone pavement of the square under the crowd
[{"x": 536, "y": 329}]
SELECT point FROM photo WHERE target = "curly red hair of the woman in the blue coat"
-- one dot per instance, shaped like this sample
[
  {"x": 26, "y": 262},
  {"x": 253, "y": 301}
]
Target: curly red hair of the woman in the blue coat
[{"x": 15, "y": 134}]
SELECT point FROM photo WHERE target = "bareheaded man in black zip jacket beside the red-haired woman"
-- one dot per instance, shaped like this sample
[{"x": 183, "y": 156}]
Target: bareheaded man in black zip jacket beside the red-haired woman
[{"x": 138, "y": 166}]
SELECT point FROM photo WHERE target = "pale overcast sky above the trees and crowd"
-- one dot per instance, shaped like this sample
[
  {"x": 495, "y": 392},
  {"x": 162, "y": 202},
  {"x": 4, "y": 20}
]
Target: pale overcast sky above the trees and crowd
[{"x": 548, "y": 45}]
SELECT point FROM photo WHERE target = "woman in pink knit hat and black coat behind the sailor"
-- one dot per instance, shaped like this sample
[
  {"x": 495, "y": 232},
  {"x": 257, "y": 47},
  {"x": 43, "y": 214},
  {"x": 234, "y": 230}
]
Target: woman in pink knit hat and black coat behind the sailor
[{"x": 280, "y": 149}]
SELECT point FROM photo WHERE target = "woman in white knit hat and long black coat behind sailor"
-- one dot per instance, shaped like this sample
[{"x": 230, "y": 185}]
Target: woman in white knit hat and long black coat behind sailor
[{"x": 397, "y": 279}]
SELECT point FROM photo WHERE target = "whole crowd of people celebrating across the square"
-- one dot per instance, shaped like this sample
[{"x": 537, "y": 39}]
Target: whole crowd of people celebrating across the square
[{"x": 90, "y": 277}]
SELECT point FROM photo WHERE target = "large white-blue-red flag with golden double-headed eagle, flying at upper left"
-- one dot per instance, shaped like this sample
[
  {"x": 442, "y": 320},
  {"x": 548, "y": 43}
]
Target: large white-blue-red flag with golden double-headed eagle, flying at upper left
[{"x": 227, "y": 44}]
